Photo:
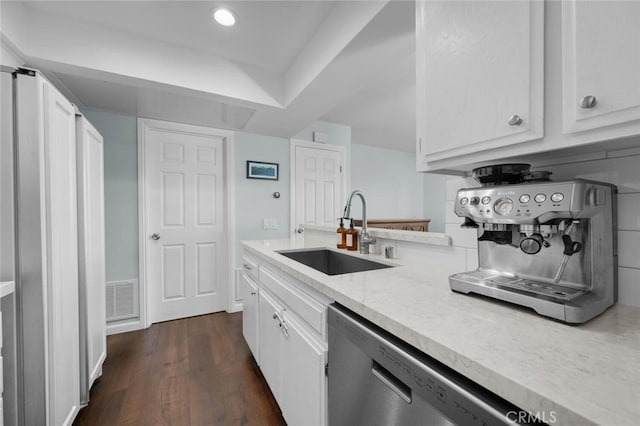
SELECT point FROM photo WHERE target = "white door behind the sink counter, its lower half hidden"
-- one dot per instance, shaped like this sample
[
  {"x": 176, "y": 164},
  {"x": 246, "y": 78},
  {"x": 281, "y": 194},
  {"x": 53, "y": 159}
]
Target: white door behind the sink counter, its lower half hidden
[{"x": 318, "y": 183}]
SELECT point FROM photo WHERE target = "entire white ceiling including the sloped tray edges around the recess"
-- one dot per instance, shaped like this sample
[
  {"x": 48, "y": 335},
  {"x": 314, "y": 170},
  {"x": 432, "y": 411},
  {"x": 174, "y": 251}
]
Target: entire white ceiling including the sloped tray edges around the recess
[{"x": 286, "y": 63}]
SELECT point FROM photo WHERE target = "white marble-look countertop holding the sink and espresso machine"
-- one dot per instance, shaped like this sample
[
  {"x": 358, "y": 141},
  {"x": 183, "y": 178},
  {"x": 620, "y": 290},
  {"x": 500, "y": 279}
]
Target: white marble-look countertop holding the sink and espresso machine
[{"x": 587, "y": 374}]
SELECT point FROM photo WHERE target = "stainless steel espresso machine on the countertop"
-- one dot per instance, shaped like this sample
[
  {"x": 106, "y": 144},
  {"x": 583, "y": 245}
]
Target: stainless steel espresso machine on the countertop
[{"x": 549, "y": 246}]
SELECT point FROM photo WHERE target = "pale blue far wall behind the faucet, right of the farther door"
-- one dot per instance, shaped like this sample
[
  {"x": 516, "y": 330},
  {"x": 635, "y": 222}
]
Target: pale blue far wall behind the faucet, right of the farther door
[{"x": 389, "y": 181}]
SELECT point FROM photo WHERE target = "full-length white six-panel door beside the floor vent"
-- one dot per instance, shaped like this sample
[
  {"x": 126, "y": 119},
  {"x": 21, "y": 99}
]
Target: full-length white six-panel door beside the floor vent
[{"x": 184, "y": 207}]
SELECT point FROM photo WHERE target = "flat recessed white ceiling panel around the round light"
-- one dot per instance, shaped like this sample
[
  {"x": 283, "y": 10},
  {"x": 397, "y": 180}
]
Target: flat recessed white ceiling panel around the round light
[{"x": 268, "y": 34}]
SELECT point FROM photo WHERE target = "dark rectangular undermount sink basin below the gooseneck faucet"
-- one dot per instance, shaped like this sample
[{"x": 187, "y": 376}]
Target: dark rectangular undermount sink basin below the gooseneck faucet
[{"x": 331, "y": 262}]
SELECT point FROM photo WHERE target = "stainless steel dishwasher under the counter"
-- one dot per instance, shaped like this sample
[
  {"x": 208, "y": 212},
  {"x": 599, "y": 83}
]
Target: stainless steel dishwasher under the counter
[{"x": 376, "y": 379}]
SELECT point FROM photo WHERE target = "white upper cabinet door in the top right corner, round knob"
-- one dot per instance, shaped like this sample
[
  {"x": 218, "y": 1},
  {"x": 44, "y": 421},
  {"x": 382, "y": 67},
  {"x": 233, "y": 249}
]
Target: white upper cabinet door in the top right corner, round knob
[{"x": 601, "y": 63}]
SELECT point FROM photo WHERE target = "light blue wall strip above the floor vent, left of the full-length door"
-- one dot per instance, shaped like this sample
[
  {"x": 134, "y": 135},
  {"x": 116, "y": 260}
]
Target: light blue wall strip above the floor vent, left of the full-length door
[{"x": 120, "y": 191}]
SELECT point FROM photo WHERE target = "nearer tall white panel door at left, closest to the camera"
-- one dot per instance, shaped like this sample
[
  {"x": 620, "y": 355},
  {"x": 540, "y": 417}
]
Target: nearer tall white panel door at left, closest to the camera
[{"x": 62, "y": 257}]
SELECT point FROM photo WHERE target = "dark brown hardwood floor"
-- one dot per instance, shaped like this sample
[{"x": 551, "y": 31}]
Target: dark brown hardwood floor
[{"x": 193, "y": 371}]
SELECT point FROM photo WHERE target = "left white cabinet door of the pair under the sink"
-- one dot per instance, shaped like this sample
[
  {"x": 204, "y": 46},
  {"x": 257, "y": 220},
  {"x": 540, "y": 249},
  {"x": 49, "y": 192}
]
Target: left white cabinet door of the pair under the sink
[{"x": 270, "y": 345}]
